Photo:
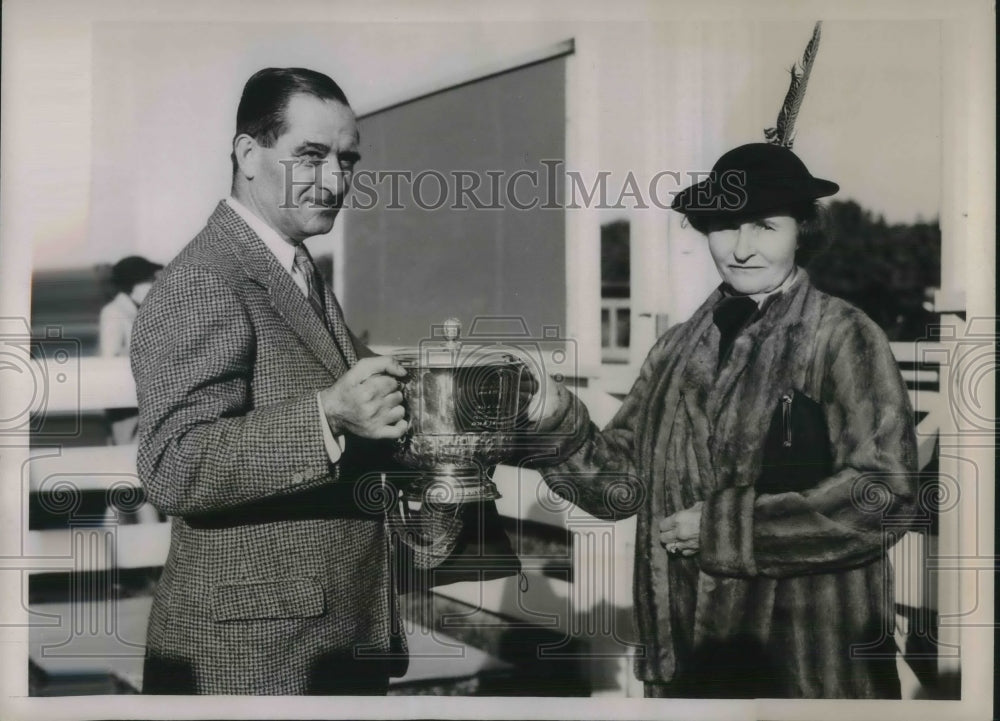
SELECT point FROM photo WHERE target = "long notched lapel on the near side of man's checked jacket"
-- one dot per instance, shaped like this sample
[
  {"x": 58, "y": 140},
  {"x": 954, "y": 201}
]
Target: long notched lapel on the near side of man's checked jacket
[{"x": 263, "y": 268}]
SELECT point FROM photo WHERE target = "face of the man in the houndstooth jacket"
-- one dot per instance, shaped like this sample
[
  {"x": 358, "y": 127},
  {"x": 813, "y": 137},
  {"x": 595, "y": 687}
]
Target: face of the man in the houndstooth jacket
[{"x": 300, "y": 183}]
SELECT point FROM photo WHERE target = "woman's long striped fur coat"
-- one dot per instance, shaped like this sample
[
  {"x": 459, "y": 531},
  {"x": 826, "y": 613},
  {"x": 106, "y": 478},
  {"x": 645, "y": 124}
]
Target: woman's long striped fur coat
[{"x": 794, "y": 587}]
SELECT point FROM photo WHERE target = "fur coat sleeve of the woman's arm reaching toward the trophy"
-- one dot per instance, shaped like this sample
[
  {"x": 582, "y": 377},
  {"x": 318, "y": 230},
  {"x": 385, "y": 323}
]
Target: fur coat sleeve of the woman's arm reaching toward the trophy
[{"x": 596, "y": 469}]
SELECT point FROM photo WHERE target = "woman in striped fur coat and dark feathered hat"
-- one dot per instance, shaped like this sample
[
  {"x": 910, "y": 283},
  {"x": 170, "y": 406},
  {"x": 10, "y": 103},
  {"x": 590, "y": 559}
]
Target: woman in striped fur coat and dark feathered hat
[{"x": 766, "y": 445}]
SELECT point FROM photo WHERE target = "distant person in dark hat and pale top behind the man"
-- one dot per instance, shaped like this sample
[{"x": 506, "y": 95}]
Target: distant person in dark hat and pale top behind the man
[{"x": 132, "y": 278}]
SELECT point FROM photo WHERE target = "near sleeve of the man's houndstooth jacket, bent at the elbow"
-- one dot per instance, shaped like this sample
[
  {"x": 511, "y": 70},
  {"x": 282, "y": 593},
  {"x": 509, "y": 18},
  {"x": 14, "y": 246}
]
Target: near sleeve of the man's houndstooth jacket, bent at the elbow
[{"x": 203, "y": 446}]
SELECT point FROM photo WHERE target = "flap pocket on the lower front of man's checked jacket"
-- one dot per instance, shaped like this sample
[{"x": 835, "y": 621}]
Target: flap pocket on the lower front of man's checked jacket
[{"x": 283, "y": 598}]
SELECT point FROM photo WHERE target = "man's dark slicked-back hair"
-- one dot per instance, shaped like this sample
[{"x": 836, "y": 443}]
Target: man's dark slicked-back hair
[{"x": 261, "y": 113}]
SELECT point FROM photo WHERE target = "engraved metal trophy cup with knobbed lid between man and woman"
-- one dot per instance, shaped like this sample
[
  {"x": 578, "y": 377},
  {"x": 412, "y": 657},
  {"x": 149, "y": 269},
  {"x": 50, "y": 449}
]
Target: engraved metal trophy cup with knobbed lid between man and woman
[{"x": 462, "y": 403}]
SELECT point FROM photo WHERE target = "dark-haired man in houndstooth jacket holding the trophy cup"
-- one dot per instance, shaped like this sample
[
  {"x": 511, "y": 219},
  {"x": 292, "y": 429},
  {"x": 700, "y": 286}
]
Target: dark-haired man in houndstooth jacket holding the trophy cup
[{"x": 256, "y": 421}]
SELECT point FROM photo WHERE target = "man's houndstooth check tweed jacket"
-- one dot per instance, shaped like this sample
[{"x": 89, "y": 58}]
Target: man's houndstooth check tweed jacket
[{"x": 276, "y": 573}]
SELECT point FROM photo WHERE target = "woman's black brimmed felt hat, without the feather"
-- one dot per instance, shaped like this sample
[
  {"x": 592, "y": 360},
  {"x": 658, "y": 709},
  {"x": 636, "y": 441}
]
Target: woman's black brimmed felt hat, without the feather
[{"x": 752, "y": 179}]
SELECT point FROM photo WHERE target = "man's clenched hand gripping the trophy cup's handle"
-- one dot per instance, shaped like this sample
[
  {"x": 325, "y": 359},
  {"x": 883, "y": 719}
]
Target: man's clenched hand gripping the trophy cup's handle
[{"x": 367, "y": 401}]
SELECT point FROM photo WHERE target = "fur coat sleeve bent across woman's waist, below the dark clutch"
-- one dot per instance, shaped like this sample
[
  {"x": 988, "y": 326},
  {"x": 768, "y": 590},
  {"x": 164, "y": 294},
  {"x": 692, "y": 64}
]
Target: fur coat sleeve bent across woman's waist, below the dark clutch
[{"x": 842, "y": 521}]
